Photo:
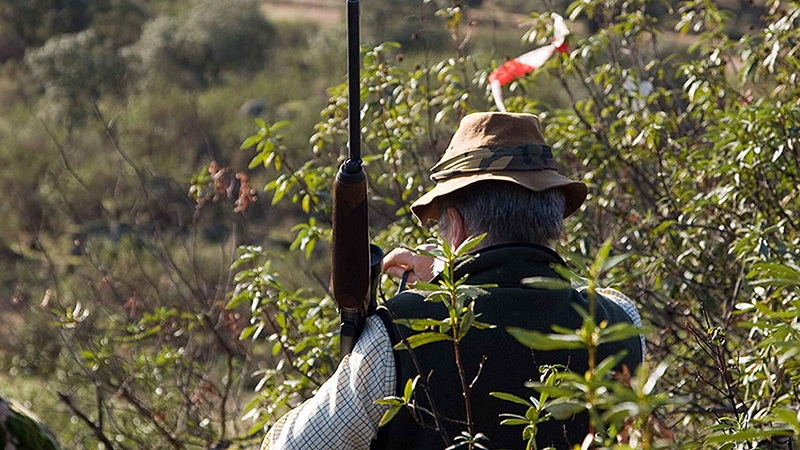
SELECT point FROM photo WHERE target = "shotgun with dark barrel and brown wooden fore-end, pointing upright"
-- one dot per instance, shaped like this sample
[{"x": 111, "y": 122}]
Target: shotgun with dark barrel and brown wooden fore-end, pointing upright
[{"x": 355, "y": 263}]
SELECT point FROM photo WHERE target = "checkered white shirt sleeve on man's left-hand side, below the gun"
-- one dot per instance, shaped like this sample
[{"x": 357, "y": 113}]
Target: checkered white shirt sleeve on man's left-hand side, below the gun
[{"x": 342, "y": 414}]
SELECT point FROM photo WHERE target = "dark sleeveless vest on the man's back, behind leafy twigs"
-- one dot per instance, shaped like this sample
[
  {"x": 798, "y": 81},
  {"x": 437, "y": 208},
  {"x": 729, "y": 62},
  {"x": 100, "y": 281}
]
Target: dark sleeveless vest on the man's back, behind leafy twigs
[{"x": 504, "y": 364}]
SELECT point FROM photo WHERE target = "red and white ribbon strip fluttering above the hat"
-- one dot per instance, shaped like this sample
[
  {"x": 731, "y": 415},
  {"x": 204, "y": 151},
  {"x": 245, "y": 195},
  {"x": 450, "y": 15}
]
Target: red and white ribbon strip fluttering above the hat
[{"x": 528, "y": 62}]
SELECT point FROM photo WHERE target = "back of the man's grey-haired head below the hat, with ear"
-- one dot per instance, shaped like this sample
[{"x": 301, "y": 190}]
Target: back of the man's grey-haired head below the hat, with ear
[{"x": 507, "y": 213}]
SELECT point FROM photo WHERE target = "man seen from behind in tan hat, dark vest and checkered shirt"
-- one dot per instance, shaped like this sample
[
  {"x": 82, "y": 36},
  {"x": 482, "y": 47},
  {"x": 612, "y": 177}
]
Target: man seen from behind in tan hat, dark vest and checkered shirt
[{"x": 498, "y": 177}]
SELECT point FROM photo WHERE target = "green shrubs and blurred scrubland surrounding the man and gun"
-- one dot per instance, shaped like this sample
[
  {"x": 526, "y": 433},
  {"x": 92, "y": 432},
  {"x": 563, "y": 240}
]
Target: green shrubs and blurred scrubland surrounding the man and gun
[{"x": 164, "y": 287}]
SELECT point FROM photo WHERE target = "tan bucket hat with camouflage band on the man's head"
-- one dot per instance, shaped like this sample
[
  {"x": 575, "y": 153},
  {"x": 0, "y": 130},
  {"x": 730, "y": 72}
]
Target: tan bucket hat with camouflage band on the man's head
[{"x": 497, "y": 147}]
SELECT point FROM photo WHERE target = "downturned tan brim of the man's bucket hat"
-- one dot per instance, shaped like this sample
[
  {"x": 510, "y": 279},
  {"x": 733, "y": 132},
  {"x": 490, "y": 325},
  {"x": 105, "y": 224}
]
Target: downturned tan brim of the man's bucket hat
[{"x": 426, "y": 208}]
